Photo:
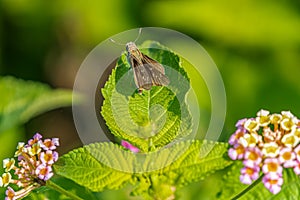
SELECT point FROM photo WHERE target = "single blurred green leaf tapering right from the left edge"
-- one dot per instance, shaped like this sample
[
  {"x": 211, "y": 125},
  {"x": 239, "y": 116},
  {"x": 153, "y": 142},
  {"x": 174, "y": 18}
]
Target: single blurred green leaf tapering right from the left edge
[{"x": 22, "y": 100}]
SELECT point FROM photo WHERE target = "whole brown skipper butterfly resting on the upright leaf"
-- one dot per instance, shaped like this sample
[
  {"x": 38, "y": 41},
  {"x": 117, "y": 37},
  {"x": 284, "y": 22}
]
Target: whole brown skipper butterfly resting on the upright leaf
[{"x": 147, "y": 71}]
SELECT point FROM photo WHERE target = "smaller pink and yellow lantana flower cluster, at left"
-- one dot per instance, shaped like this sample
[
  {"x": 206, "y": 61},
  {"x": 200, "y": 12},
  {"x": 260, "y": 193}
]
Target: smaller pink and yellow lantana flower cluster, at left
[{"x": 32, "y": 168}]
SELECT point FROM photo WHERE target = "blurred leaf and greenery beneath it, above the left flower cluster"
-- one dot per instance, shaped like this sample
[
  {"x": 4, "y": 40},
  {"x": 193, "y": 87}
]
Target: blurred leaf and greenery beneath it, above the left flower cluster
[{"x": 20, "y": 101}]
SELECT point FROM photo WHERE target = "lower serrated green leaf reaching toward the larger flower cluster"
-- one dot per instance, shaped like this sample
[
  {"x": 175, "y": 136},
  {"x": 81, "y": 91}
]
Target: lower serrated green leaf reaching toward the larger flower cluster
[{"x": 200, "y": 159}]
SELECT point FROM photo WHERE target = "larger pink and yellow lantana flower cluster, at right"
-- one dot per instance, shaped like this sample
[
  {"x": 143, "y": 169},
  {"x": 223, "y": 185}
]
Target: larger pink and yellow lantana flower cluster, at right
[{"x": 266, "y": 144}]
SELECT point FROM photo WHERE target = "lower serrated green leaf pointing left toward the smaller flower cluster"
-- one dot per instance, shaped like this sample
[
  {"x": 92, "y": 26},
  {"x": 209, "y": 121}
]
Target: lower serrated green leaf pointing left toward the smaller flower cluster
[{"x": 83, "y": 166}]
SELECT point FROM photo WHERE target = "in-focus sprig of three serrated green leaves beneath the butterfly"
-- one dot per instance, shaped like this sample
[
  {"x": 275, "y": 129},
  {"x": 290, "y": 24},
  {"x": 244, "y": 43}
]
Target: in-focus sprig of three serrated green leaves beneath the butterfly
[{"x": 153, "y": 121}]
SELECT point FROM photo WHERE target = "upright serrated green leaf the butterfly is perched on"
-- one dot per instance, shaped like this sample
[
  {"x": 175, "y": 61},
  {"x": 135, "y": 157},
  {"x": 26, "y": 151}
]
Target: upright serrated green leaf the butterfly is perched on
[{"x": 154, "y": 118}]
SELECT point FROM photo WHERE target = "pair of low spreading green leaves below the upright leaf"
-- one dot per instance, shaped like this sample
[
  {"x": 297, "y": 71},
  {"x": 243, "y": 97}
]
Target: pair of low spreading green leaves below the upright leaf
[{"x": 91, "y": 166}]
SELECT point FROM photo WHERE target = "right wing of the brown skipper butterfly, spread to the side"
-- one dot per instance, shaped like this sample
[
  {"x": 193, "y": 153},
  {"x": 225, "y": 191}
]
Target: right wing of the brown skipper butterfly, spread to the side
[{"x": 156, "y": 71}]
